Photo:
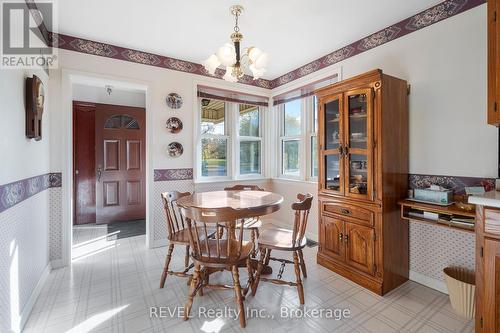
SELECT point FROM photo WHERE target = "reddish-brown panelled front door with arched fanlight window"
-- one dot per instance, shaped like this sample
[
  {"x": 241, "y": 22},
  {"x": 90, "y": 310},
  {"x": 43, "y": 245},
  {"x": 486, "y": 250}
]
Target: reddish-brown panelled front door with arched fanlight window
[{"x": 120, "y": 163}]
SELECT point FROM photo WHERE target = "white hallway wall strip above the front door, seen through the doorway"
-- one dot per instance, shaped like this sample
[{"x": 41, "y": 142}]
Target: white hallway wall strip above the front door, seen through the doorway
[{"x": 95, "y": 94}]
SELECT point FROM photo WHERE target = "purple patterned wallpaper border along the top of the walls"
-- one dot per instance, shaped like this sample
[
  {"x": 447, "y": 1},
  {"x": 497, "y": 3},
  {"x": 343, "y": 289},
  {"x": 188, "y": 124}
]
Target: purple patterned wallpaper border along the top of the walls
[{"x": 437, "y": 13}]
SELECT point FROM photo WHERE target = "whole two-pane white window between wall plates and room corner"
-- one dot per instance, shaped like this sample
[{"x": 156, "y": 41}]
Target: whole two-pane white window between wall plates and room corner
[{"x": 230, "y": 140}]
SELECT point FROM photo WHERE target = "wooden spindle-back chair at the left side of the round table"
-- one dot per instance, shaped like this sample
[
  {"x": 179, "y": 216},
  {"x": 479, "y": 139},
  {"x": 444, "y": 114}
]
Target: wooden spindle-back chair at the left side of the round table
[{"x": 178, "y": 234}]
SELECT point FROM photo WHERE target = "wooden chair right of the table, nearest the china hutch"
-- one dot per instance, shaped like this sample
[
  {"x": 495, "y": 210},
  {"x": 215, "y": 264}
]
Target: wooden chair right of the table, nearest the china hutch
[{"x": 286, "y": 240}]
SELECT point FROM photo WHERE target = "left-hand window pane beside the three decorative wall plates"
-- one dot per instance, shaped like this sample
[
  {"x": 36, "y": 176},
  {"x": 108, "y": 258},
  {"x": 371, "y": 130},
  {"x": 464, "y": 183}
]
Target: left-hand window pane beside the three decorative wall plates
[{"x": 214, "y": 146}]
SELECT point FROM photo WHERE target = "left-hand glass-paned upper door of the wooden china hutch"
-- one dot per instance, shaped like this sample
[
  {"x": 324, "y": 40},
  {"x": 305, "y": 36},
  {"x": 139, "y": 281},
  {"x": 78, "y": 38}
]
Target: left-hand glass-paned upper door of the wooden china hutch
[{"x": 331, "y": 145}]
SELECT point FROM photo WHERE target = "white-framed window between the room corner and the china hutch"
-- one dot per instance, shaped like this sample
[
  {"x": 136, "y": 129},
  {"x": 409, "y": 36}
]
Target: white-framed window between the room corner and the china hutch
[{"x": 298, "y": 139}]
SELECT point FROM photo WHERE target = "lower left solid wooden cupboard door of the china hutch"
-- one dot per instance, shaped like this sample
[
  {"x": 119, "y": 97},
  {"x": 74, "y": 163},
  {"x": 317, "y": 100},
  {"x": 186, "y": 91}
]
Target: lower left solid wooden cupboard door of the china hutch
[{"x": 331, "y": 237}]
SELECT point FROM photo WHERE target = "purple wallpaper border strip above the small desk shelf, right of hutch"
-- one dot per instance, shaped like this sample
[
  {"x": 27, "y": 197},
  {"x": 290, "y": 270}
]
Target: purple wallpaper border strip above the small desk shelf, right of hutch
[{"x": 457, "y": 184}]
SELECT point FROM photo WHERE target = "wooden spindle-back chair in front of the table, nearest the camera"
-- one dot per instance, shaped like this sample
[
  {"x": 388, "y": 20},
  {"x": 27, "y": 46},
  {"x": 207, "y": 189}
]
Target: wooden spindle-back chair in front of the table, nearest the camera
[{"x": 218, "y": 253}]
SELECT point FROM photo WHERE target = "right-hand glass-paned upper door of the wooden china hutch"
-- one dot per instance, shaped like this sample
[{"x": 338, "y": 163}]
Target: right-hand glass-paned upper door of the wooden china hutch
[{"x": 358, "y": 143}]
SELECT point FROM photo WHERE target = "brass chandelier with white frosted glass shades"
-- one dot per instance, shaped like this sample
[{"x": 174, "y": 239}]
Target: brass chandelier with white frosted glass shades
[{"x": 233, "y": 59}]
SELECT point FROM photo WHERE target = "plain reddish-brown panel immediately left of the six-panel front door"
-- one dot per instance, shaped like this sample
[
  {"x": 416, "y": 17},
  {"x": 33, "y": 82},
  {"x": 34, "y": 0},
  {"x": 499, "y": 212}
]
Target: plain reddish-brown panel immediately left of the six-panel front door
[{"x": 84, "y": 162}]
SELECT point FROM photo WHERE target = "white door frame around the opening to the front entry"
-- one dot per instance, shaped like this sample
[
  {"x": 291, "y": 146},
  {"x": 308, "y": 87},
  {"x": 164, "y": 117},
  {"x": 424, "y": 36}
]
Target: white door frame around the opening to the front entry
[{"x": 68, "y": 78}]
